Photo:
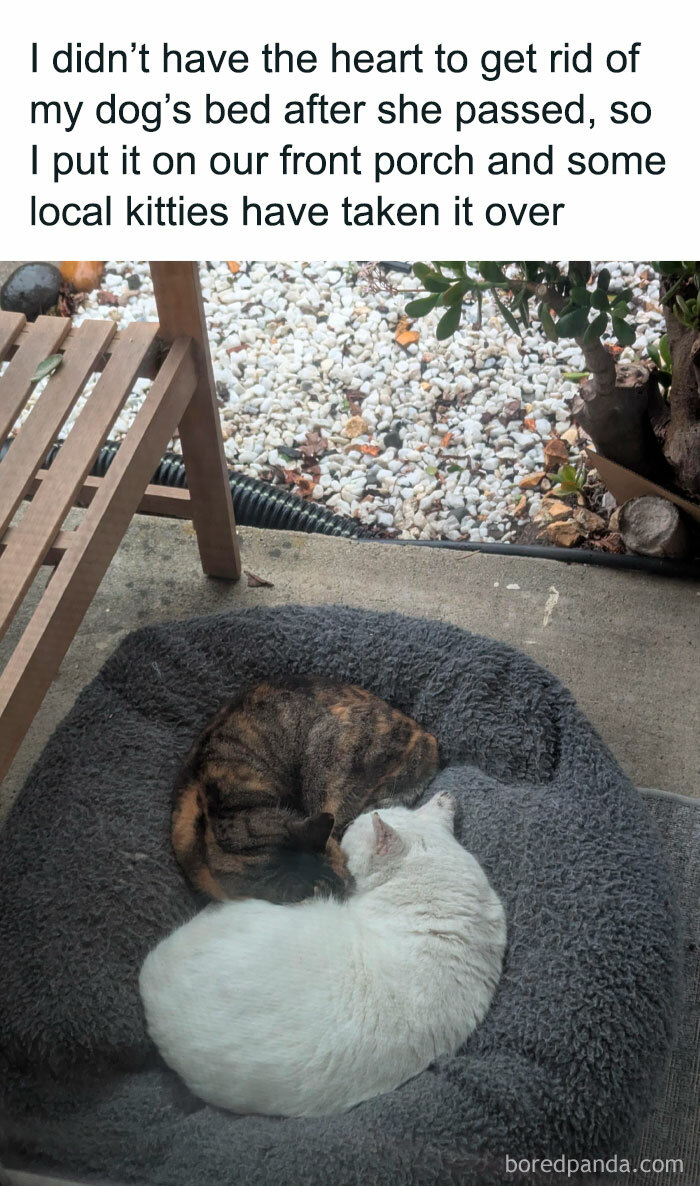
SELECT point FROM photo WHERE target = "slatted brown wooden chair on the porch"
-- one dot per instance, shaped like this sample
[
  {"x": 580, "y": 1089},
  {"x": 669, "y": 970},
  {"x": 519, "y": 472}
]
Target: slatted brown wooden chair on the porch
[{"x": 175, "y": 354}]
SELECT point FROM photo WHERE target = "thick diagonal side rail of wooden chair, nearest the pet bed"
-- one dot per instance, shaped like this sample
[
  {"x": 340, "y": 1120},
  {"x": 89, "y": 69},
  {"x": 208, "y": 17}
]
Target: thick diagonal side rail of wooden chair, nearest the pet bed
[{"x": 39, "y": 655}]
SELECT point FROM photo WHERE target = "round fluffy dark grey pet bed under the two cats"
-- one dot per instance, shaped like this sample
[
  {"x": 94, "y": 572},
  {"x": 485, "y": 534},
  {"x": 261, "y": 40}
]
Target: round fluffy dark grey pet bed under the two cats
[{"x": 572, "y": 1051}]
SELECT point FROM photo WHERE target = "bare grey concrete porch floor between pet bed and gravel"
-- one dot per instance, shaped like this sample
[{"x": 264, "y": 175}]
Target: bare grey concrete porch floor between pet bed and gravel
[{"x": 627, "y": 645}]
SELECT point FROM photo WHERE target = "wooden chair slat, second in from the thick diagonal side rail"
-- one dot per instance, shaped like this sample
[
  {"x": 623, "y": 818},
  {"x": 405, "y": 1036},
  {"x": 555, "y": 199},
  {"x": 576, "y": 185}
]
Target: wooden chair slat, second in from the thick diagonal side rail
[{"x": 44, "y": 422}]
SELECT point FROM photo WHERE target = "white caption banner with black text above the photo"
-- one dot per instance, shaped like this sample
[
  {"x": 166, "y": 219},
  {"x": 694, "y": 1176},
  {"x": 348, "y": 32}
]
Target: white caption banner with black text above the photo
[{"x": 377, "y": 129}]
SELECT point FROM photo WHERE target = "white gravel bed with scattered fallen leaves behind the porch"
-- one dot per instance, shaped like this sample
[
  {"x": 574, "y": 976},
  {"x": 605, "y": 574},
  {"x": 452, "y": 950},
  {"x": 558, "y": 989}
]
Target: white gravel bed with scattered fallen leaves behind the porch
[{"x": 443, "y": 441}]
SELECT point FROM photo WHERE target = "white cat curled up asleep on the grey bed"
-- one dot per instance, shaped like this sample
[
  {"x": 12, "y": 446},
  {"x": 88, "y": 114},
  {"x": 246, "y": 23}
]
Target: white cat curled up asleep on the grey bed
[{"x": 309, "y": 1010}]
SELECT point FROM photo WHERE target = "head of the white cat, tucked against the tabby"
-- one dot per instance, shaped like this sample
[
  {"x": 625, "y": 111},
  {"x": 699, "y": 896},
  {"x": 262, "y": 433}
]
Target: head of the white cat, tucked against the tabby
[{"x": 379, "y": 844}]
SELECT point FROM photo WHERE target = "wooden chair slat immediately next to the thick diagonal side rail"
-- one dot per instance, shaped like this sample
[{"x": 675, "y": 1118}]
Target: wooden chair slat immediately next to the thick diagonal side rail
[{"x": 43, "y": 519}]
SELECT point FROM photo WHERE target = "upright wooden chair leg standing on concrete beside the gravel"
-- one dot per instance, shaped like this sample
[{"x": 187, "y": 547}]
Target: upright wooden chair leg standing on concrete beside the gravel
[{"x": 181, "y": 311}]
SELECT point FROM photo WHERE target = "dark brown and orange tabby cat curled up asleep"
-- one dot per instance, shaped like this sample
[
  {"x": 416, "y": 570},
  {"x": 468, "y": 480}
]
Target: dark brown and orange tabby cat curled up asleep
[{"x": 272, "y": 783}]
